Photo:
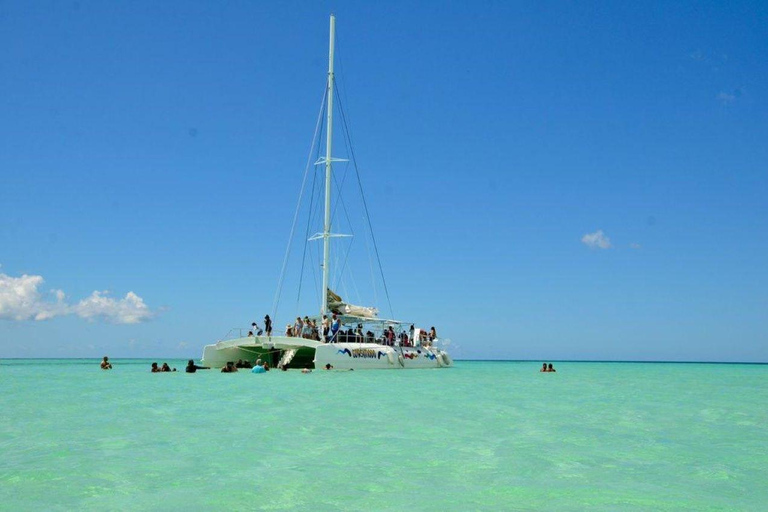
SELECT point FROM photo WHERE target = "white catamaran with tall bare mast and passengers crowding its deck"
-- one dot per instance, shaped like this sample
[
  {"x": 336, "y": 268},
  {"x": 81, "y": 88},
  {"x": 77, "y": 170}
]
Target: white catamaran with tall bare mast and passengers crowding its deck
[{"x": 342, "y": 336}]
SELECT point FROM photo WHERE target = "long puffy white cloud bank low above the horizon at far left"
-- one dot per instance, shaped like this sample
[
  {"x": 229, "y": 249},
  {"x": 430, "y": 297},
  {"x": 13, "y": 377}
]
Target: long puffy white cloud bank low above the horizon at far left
[{"x": 21, "y": 299}]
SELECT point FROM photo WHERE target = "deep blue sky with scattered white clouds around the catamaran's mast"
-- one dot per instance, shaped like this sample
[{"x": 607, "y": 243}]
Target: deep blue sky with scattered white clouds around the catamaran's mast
[{"x": 158, "y": 149}]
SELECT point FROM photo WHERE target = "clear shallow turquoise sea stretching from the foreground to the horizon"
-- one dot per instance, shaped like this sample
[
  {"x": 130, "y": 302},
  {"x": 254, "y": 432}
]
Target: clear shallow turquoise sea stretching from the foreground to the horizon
[{"x": 480, "y": 436}]
